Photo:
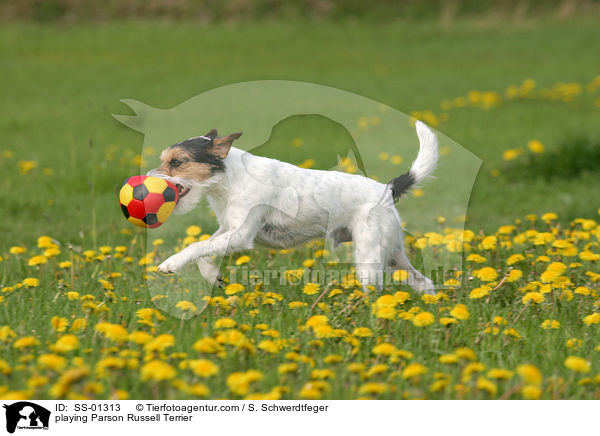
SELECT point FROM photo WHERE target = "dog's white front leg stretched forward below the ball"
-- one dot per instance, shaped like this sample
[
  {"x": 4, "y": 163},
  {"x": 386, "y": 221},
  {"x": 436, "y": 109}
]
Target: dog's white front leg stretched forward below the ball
[{"x": 236, "y": 238}]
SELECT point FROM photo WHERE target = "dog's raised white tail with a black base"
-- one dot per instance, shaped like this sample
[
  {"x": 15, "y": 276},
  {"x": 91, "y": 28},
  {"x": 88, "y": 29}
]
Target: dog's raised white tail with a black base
[{"x": 423, "y": 165}]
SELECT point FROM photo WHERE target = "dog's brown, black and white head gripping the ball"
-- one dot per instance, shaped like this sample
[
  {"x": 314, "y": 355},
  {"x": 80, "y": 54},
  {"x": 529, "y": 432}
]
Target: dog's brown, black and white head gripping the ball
[{"x": 193, "y": 166}]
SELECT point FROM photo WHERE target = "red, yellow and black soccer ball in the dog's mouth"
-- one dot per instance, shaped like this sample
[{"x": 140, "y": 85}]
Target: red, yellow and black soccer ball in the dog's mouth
[{"x": 147, "y": 201}]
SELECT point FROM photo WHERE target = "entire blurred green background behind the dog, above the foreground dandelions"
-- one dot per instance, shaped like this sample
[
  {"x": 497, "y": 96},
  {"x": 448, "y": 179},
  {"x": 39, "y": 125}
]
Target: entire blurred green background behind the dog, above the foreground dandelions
[{"x": 66, "y": 64}]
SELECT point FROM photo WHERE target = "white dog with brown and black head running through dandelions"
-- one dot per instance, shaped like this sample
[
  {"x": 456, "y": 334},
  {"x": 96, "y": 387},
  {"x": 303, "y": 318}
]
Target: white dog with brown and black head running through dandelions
[{"x": 279, "y": 205}]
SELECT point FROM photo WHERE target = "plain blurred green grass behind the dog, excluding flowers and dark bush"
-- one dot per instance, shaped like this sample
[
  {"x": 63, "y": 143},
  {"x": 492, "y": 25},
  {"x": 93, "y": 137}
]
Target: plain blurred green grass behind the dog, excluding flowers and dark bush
[{"x": 60, "y": 86}]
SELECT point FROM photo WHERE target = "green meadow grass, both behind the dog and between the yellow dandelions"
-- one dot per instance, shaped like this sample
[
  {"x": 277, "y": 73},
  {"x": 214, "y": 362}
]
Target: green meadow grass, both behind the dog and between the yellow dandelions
[{"x": 61, "y": 85}]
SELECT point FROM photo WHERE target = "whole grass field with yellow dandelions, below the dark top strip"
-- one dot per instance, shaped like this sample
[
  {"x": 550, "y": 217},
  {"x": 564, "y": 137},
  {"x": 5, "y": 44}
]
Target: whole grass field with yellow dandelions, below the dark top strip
[{"x": 77, "y": 317}]
